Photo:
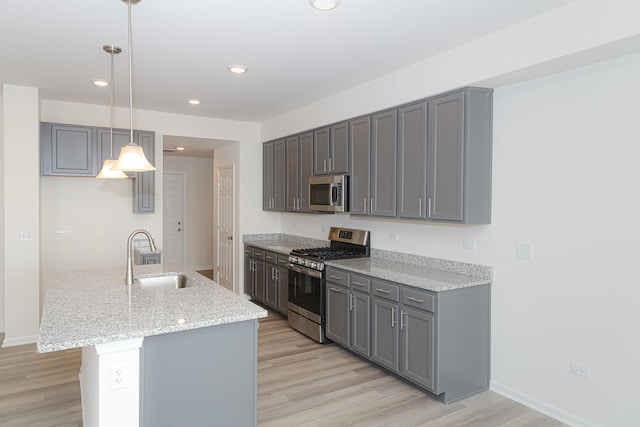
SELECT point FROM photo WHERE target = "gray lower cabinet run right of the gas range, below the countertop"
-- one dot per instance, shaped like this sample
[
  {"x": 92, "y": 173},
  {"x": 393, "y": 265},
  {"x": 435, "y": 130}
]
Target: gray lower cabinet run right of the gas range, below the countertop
[{"x": 437, "y": 340}]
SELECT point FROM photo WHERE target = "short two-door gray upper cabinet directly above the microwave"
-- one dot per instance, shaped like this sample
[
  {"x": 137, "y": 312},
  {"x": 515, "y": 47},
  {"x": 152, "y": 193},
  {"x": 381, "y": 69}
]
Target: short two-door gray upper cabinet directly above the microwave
[{"x": 331, "y": 150}]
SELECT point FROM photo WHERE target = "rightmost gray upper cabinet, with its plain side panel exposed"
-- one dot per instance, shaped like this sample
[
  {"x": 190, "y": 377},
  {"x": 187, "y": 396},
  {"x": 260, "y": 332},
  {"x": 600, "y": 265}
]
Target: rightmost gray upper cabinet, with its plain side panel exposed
[{"x": 459, "y": 158}]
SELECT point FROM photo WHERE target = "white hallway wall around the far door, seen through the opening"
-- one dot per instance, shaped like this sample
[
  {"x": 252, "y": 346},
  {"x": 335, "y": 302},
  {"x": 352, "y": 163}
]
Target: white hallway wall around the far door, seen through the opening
[{"x": 198, "y": 209}]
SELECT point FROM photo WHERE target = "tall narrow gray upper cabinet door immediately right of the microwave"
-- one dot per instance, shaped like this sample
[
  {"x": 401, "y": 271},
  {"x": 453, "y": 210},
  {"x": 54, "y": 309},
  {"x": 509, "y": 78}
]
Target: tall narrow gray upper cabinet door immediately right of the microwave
[{"x": 359, "y": 184}]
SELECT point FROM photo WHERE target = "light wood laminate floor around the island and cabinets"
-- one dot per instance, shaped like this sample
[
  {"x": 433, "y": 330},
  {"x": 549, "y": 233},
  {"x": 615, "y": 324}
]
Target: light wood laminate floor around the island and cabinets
[{"x": 300, "y": 383}]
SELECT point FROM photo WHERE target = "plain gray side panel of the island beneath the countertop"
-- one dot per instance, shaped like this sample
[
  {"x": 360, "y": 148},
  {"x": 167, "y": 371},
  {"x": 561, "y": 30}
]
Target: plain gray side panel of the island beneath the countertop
[{"x": 201, "y": 377}]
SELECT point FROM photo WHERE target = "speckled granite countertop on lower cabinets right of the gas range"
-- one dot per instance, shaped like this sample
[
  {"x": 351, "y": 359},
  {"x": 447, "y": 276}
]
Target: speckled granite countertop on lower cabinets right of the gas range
[{"x": 419, "y": 276}]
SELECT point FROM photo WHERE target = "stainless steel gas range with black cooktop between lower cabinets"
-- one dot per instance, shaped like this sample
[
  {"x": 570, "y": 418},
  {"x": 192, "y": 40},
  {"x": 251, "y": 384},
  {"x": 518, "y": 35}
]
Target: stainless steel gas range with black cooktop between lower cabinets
[{"x": 307, "y": 305}]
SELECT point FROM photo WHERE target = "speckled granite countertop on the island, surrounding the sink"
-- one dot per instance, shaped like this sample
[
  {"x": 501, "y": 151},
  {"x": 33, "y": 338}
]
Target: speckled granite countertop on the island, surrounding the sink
[{"x": 89, "y": 307}]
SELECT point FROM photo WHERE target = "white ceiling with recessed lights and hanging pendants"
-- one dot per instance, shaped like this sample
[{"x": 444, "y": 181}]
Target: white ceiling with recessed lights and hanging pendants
[{"x": 295, "y": 54}]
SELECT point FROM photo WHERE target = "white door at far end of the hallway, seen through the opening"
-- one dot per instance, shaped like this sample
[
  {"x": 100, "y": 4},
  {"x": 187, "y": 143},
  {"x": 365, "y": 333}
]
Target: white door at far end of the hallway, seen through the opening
[{"x": 173, "y": 219}]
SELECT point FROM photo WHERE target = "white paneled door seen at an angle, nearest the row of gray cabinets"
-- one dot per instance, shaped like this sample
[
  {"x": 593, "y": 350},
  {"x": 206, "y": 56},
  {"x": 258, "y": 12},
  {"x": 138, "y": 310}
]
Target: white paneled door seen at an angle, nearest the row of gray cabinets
[{"x": 225, "y": 226}]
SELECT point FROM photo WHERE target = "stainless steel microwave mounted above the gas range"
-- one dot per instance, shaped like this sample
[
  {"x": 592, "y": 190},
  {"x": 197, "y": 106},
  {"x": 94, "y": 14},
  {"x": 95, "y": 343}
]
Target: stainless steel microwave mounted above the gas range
[{"x": 329, "y": 193}]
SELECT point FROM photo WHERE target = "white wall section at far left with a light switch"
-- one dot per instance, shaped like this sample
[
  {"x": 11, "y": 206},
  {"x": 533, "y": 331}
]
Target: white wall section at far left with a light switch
[{"x": 21, "y": 167}]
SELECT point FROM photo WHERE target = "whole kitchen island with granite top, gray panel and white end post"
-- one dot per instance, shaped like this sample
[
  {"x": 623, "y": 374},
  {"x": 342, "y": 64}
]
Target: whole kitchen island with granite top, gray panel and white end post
[{"x": 155, "y": 357}]
